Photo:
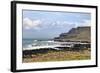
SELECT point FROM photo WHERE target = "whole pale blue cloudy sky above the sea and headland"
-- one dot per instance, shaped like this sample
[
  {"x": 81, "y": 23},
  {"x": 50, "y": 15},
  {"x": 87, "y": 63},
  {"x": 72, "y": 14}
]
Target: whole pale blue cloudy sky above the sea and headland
[{"x": 50, "y": 24}]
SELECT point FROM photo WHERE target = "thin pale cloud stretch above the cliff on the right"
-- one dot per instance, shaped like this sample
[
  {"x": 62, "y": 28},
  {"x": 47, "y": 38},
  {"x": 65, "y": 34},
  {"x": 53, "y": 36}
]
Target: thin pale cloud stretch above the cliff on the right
[{"x": 68, "y": 24}]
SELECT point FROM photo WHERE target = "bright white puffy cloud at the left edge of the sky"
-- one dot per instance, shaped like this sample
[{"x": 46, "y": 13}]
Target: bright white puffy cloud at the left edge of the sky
[{"x": 31, "y": 24}]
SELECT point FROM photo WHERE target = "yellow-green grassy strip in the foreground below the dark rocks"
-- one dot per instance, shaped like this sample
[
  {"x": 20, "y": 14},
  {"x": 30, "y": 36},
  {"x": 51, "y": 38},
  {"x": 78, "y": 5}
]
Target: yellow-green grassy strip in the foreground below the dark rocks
[{"x": 59, "y": 56}]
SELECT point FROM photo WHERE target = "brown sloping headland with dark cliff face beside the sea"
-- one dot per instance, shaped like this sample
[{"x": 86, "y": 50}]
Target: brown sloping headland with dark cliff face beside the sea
[{"x": 76, "y": 34}]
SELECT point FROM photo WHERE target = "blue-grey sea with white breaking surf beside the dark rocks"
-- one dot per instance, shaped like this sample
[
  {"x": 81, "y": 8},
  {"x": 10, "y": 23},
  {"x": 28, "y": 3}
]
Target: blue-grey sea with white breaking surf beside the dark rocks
[{"x": 29, "y": 44}]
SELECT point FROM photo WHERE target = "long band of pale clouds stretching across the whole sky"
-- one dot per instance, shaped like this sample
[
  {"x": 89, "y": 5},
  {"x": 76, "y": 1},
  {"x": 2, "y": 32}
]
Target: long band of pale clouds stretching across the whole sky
[{"x": 44, "y": 24}]
